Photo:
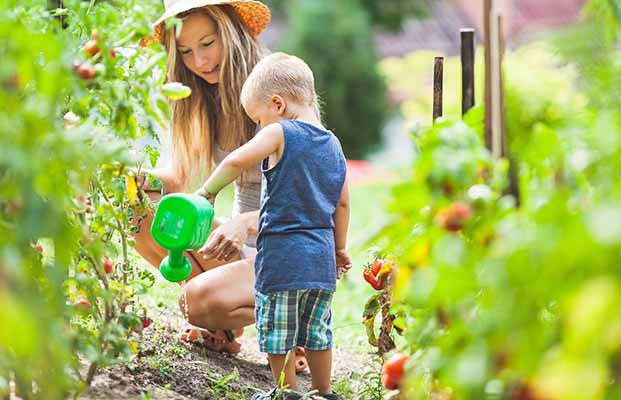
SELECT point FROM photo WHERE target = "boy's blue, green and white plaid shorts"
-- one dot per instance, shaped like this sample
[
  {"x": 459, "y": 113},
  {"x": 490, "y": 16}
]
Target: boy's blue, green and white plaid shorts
[{"x": 294, "y": 318}]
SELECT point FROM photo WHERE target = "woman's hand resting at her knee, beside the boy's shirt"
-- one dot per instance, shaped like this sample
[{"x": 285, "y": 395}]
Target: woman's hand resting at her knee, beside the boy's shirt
[{"x": 225, "y": 241}]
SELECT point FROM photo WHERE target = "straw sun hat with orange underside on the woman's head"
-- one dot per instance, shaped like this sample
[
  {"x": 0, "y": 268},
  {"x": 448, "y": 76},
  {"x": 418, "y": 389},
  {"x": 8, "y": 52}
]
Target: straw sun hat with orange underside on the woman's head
[{"x": 254, "y": 14}]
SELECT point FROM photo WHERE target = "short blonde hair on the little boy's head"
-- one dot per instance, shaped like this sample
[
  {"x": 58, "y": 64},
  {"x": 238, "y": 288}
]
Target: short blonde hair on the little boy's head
[{"x": 284, "y": 75}]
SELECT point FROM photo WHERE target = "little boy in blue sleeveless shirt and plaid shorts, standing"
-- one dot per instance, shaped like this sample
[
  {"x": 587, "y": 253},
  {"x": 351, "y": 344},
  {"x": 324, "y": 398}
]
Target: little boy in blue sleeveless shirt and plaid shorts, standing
[{"x": 303, "y": 218}]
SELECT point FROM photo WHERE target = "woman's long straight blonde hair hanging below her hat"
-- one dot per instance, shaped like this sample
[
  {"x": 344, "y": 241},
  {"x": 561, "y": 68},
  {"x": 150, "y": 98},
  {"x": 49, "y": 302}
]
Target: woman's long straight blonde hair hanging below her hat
[{"x": 211, "y": 109}]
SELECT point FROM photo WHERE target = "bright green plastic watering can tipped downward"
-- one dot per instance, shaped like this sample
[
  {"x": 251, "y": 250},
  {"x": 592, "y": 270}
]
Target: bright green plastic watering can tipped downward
[{"x": 182, "y": 222}]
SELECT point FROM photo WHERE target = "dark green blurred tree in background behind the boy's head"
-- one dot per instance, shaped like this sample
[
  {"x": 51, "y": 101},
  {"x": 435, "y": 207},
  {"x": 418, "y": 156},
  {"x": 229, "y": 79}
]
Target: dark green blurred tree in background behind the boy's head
[{"x": 334, "y": 38}]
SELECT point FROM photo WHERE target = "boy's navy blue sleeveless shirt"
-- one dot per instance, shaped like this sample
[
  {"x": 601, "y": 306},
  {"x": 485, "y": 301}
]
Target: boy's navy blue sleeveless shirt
[{"x": 299, "y": 197}]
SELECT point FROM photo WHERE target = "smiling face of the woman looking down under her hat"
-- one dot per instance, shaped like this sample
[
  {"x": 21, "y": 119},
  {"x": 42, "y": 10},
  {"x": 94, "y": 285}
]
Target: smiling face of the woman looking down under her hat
[{"x": 200, "y": 47}]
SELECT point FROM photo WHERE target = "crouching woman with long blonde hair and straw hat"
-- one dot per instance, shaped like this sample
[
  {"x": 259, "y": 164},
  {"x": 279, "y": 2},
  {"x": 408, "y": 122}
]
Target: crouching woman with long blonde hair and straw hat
[{"x": 213, "y": 54}]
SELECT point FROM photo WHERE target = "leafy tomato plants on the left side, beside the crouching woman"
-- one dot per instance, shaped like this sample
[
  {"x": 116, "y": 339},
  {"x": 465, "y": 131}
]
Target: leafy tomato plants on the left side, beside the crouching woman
[{"x": 68, "y": 287}]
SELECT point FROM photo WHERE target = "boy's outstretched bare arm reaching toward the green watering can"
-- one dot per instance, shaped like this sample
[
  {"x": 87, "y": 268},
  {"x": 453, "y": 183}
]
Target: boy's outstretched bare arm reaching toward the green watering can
[{"x": 267, "y": 141}]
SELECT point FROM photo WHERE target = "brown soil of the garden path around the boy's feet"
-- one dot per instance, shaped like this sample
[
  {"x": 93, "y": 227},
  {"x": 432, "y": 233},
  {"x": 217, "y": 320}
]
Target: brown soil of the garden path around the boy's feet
[{"x": 167, "y": 368}]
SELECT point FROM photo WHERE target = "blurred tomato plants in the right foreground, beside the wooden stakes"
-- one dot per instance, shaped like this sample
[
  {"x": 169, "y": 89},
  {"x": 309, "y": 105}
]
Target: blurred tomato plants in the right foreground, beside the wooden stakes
[{"x": 519, "y": 303}]
